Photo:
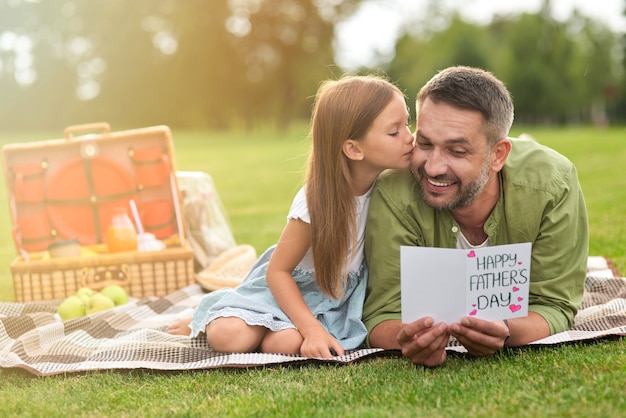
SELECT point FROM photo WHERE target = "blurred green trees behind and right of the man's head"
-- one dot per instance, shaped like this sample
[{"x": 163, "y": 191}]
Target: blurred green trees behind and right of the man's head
[{"x": 557, "y": 72}]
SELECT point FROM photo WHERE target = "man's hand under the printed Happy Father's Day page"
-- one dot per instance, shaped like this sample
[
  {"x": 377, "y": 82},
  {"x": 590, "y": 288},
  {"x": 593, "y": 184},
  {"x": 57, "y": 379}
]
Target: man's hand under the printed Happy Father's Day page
[{"x": 480, "y": 337}]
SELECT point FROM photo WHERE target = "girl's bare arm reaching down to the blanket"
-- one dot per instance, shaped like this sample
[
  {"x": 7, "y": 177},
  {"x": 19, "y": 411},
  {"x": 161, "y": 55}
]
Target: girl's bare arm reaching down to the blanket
[{"x": 291, "y": 248}]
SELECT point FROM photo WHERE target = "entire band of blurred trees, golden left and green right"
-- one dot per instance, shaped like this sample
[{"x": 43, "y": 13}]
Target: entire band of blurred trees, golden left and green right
[{"x": 221, "y": 64}]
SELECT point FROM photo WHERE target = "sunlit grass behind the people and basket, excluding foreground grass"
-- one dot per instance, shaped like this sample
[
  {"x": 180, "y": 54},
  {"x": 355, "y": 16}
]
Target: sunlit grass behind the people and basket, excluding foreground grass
[{"x": 257, "y": 175}]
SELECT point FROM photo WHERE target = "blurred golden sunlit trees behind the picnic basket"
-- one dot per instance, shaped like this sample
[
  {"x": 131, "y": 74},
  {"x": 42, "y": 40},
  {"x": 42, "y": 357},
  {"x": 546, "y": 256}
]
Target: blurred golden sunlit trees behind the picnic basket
[{"x": 196, "y": 63}]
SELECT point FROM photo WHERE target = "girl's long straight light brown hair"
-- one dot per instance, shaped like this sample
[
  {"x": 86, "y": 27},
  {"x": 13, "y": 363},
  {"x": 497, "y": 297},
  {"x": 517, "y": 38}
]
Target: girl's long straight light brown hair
[{"x": 343, "y": 109}]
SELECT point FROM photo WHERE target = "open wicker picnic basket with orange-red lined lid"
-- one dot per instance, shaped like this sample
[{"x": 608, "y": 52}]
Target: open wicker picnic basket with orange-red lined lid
[{"x": 67, "y": 190}]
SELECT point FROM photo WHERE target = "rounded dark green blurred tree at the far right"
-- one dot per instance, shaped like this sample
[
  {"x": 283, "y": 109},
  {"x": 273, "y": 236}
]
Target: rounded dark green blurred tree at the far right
[{"x": 558, "y": 70}]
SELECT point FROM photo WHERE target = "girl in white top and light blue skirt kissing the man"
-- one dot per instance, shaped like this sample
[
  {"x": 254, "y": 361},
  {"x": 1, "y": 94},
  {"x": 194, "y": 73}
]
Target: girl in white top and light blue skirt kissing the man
[{"x": 305, "y": 294}]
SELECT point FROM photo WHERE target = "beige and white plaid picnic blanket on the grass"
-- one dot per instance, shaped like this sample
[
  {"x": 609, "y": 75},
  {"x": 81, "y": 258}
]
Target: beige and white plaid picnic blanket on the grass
[{"x": 133, "y": 336}]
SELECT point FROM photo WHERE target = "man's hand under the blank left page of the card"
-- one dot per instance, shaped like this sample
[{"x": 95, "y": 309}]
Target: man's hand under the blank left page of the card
[{"x": 424, "y": 342}]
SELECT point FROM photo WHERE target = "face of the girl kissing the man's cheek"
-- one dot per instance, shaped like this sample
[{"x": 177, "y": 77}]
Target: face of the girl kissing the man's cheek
[{"x": 389, "y": 143}]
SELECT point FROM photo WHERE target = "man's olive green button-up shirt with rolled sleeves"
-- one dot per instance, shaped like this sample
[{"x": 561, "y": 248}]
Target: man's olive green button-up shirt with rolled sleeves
[{"x": 540, "y": 202}]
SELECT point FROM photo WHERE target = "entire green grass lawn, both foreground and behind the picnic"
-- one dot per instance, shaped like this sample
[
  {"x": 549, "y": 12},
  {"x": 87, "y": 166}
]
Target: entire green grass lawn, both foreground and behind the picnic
[{"x": 256, "y": 175}]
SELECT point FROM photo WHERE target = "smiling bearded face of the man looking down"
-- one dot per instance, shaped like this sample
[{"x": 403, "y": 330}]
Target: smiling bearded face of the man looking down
[{"x": 451, "y": 160}]
